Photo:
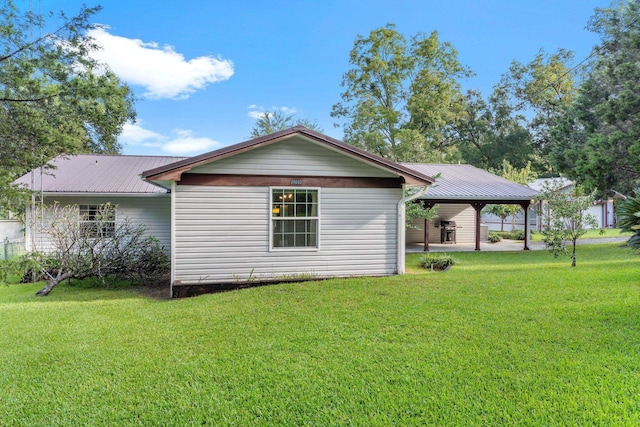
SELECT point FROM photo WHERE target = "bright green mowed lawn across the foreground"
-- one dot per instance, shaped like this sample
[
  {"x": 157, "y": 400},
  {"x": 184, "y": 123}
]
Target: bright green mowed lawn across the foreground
[{"x": 501, "y": 339}]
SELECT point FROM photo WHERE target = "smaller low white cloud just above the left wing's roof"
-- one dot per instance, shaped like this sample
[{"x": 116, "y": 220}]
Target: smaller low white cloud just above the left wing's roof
[{"x": 182, "y": 142}]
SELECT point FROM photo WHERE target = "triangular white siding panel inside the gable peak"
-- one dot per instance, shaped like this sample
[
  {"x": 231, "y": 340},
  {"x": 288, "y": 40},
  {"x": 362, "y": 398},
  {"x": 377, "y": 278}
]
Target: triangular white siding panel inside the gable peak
[{"x": 295, "y": 156}]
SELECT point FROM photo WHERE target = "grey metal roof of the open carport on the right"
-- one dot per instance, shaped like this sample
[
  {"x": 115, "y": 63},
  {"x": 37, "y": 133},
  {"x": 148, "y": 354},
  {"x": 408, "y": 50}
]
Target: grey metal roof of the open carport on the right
[{"x": 466, "y": 182}]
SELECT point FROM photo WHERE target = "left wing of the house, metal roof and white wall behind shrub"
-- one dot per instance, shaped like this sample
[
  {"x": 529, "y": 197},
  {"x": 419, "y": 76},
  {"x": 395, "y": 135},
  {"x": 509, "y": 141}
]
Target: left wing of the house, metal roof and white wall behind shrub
[{"x": 90, "y": 181}]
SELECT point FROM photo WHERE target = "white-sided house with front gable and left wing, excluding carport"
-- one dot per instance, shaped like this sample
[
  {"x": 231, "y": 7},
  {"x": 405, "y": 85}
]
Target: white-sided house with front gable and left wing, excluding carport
[{"x": 290, "y": 205}]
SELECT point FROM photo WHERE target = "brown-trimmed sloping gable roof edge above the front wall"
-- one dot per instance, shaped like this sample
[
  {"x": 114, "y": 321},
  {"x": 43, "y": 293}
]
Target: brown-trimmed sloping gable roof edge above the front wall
[{"x": 173, "y": 171}]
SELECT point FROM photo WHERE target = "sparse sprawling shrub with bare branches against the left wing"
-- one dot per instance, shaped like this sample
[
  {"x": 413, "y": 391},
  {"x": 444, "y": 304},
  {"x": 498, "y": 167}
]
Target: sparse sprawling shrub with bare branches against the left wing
[{"x": 98, "y": 247}]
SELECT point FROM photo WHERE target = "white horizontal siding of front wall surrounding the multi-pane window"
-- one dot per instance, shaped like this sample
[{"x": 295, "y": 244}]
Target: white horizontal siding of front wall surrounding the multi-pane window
[{"x": 222, "y": 235}]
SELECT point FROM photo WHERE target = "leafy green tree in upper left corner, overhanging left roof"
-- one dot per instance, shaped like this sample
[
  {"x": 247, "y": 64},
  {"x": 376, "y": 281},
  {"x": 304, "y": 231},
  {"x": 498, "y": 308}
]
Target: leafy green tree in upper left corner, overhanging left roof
[{"x": 54, "y": 98}]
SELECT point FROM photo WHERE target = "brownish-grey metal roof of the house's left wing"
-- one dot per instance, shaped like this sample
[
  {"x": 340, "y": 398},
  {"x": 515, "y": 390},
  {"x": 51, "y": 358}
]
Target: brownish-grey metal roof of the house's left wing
[{"x": 97, "y": 173}]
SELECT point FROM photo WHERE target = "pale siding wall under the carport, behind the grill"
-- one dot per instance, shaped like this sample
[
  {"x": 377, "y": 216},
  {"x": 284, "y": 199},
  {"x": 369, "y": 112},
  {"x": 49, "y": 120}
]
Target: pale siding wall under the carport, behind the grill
[{"x": 463, "y": 215}]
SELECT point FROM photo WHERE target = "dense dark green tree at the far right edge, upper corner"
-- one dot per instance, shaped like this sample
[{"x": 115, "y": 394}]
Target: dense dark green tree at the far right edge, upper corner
[{"x": 597, "y": 142}]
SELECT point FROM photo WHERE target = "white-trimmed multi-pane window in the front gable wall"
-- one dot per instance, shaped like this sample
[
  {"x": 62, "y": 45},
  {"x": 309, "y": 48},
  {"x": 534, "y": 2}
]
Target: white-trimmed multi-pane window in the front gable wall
[{"x": 294, "y": 218}]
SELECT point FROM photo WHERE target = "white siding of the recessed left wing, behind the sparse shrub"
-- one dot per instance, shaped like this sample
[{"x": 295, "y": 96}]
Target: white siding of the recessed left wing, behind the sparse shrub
[{"x": 152, "y": 211}]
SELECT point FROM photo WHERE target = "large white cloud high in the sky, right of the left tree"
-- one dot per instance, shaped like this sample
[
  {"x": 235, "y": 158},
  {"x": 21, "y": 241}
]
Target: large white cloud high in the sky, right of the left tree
[{"x": 162, "y": 71}]
